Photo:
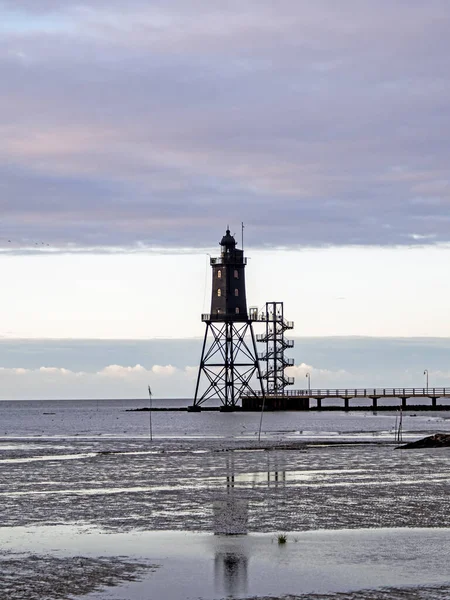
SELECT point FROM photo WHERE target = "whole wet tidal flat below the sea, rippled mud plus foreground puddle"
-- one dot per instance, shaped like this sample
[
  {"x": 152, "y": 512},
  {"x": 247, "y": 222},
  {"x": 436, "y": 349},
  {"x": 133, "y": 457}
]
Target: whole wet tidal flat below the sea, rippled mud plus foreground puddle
[{"x": 358, "y": 517}]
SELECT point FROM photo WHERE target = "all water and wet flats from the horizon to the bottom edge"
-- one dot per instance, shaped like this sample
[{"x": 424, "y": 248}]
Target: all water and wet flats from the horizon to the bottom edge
[{"x": 100, "y": 499}]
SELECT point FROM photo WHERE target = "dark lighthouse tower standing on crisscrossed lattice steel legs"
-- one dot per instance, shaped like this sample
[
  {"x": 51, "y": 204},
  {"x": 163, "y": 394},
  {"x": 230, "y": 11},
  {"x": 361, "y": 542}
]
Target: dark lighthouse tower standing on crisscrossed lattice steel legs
[{"x": 229, "y": 363}]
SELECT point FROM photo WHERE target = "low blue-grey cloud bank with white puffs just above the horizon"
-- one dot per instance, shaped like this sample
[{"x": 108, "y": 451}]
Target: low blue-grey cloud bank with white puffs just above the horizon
[{"x": 106, "y": 369}]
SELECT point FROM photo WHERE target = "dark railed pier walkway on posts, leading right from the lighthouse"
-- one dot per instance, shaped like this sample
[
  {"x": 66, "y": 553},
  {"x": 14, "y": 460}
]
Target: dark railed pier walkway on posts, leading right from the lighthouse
[{"x": 301, "y": 399}]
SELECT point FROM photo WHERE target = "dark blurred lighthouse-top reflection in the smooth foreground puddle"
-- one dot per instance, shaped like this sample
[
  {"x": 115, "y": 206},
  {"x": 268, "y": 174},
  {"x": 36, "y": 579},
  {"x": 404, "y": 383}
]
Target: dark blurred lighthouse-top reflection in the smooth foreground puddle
[{"x": 231, "y": 572}]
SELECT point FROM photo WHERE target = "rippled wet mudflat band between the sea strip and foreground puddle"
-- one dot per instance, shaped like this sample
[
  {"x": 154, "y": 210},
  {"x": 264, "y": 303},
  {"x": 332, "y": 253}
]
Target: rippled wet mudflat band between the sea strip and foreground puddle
[{"x": 129, "y": 485}]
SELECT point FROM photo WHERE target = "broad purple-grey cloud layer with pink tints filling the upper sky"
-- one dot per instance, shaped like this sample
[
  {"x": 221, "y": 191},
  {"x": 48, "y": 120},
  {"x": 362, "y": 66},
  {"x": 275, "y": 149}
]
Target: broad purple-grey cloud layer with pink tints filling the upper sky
[{"x": 156, "y": 123}]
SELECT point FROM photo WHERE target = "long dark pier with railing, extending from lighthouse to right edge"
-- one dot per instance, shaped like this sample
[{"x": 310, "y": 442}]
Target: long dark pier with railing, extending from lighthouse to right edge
[{"x": 301, "y": 399}]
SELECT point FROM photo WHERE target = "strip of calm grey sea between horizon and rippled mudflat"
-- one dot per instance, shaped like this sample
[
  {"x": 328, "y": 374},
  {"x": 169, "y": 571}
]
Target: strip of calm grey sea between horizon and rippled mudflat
[{"x": 116, "y": 418}]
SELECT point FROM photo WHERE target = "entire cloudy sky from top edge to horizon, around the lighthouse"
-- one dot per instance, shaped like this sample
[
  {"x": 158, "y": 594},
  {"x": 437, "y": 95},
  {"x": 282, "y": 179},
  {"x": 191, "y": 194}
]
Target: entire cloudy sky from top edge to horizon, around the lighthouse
[{"x": 133, "y": 133}]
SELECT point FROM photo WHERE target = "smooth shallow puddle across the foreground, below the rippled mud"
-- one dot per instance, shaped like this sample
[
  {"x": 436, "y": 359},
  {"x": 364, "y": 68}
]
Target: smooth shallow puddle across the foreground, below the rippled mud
[{"x": 212, "y": 567}]
